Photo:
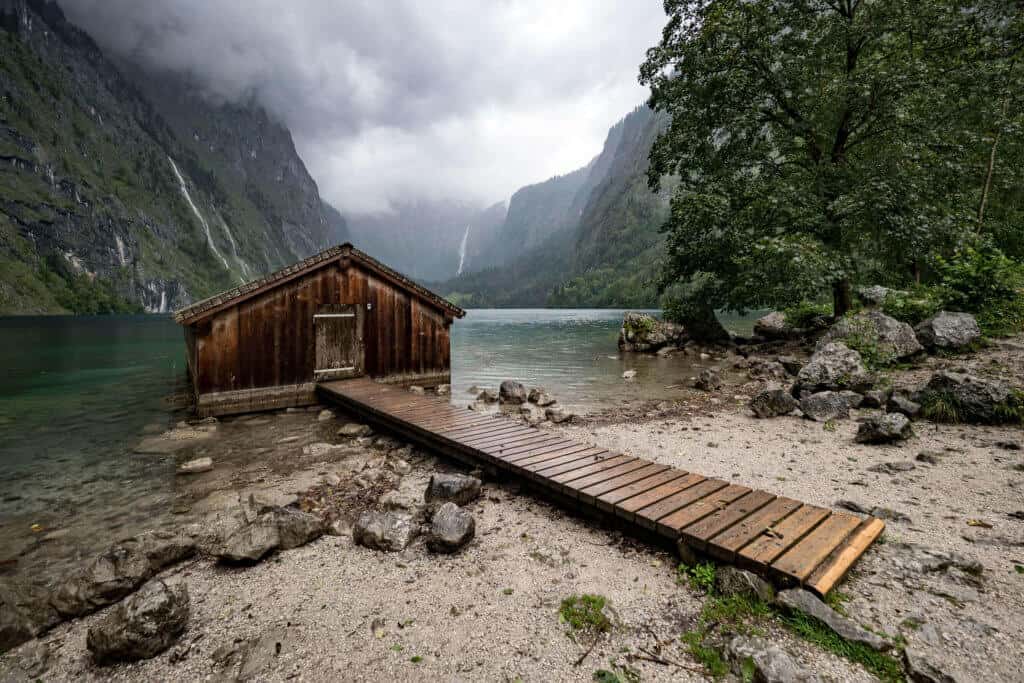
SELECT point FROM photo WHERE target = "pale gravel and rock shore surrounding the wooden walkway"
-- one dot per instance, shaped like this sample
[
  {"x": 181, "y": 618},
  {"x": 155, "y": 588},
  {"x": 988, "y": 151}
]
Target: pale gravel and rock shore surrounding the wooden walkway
[{"x": 322, "y": 532}]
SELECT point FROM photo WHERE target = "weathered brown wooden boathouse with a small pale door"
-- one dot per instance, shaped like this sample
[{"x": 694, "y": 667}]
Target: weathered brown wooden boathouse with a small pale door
[{"x": 340, "y": 314}]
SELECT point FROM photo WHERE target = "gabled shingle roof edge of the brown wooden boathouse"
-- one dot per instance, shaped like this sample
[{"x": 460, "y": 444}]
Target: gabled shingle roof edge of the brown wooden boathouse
[{"x": 203, "y": 310}]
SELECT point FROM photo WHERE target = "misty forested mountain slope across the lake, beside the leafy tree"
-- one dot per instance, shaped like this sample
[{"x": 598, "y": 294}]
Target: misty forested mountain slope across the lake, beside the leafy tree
[{"x": 593, "y": 241}]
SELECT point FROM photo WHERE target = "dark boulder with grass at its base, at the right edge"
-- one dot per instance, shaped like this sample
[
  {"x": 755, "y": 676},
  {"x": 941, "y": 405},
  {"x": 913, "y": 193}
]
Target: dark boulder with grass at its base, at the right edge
[{"x": 951, "y": 397}]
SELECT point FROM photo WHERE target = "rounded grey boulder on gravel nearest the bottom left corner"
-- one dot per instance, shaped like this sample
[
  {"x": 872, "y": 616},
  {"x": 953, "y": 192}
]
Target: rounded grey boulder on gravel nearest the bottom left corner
[{"x": 142, "y": 627}]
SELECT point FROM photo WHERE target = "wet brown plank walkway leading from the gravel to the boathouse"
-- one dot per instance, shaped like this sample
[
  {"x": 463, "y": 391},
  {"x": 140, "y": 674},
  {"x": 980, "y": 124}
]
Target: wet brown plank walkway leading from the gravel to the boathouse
[{"x": 783, "y": 539}]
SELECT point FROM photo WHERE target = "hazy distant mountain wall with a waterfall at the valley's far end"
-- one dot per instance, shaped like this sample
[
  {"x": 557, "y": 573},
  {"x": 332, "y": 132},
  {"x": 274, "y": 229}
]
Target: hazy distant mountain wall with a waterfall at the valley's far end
[{"x": 428, "y": 240}]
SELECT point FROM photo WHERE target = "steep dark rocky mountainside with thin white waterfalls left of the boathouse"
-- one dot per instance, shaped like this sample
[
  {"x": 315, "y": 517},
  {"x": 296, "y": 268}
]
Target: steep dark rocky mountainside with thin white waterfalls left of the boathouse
[{"x": 127, "y": 191}]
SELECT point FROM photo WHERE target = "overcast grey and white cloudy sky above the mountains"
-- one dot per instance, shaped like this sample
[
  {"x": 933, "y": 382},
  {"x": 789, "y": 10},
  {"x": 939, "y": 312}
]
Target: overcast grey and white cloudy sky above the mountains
[{"x": 398, "y": 99}]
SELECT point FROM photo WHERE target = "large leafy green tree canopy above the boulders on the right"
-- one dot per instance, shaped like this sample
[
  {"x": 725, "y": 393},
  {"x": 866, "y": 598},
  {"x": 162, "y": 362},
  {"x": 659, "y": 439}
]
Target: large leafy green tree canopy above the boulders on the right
[{"x": 822, "y": 143}]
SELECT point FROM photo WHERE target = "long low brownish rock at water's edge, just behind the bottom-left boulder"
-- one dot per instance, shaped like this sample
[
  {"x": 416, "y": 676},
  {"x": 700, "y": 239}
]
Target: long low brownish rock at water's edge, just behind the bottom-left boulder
[{"x": 119, "y": 571}]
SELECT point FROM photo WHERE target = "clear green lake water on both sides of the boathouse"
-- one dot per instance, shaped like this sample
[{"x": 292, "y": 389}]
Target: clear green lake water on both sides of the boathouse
[{"x": 80, "y": 394}]
